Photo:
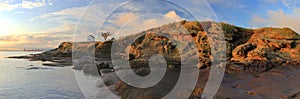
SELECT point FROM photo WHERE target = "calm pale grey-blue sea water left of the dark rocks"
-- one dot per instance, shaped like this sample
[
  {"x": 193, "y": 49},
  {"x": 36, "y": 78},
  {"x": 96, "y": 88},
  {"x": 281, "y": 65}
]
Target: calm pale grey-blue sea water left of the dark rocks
[{"x": 17, "y": 80}]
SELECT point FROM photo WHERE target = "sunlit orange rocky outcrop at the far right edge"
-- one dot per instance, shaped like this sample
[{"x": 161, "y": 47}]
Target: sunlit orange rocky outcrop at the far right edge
[{"x": 270, "y": 44}]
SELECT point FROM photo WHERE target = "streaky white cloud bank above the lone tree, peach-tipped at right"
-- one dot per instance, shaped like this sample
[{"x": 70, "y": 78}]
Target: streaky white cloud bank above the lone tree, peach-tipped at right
[{"x": 95, "y": 14}]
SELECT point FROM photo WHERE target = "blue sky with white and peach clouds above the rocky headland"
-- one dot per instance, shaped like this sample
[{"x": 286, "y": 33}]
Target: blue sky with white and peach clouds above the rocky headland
[{"x": 44, "y": 24}]
